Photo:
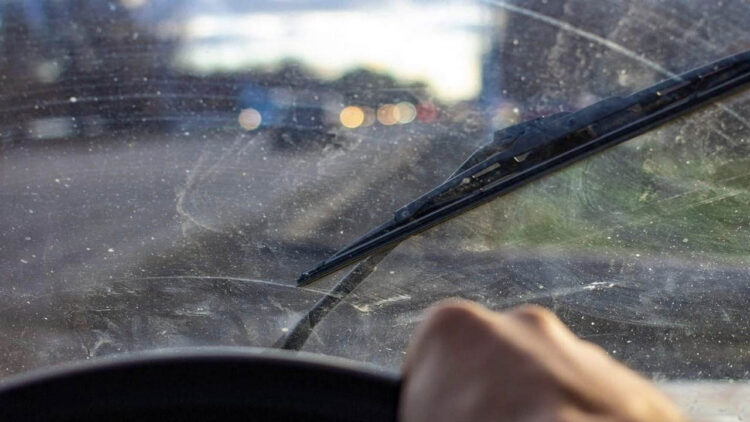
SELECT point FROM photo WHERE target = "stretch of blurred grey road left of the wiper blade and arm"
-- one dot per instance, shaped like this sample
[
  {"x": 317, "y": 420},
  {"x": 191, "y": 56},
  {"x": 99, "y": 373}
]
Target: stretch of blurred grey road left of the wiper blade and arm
[{"x": 91, "y": 226}]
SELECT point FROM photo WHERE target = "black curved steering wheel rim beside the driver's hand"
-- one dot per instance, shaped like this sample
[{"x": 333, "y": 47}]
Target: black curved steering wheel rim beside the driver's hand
[{"x": 201, "y": 385}]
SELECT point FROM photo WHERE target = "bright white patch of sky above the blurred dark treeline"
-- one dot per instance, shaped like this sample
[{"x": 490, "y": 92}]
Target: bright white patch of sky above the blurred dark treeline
[{"x": 439, "y": 42}]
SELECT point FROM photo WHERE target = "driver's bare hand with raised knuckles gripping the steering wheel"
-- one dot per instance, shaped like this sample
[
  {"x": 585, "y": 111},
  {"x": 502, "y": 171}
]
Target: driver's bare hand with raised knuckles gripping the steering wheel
[{"x": 467, "y": 363}]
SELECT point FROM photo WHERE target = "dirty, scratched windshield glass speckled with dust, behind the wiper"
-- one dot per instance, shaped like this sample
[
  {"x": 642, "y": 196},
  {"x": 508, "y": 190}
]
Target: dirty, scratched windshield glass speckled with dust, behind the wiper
[{"x": 169, "y": 168}]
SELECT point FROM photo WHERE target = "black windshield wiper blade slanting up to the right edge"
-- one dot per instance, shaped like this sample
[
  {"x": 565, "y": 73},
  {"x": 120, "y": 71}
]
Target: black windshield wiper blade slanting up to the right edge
[{"x": 524, "y": 152}]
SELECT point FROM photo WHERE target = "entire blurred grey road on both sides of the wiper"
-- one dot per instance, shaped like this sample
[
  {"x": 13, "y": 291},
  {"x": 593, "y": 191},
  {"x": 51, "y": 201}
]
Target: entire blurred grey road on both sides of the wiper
[{"x": 145, "y": 241}]
